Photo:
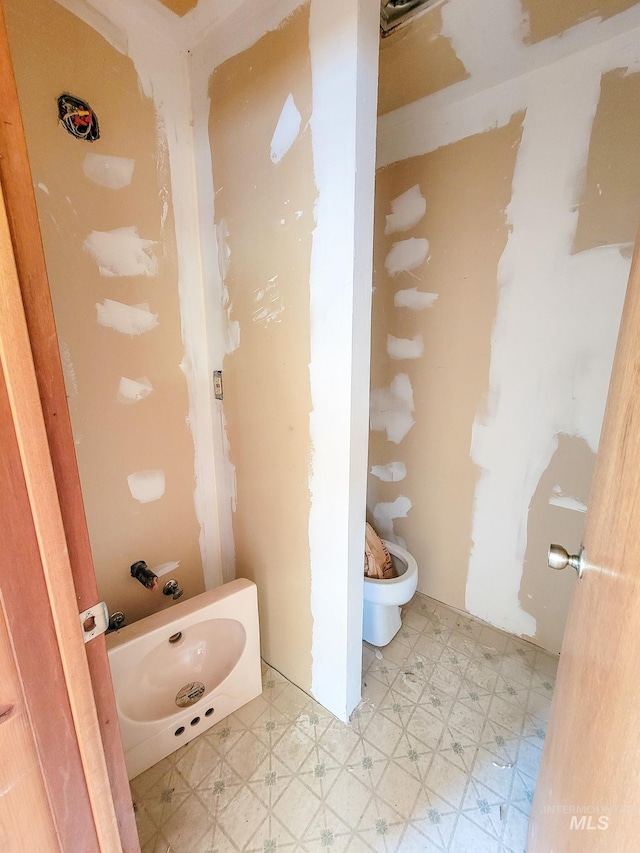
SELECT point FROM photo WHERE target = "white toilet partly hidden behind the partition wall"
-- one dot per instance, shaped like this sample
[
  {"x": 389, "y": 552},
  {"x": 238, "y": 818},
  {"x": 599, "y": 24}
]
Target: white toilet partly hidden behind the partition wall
[{"x": 383, "y": 598}]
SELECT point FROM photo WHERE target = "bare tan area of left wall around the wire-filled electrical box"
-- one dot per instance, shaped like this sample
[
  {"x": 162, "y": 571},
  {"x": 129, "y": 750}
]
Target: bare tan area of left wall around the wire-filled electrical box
[{"x": 53, "y": 53}]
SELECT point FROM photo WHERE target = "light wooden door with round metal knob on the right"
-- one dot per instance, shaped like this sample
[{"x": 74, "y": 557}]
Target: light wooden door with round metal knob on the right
[{"x": 588, "y": 792}]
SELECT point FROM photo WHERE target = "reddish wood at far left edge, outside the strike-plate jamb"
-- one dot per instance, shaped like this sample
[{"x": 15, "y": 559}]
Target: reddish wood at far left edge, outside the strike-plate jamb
[{"x": 48, "y": 776}]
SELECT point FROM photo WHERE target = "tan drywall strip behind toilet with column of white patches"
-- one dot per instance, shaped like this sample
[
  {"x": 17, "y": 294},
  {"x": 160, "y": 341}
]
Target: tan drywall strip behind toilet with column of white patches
[{"x": 431, "y": 339}]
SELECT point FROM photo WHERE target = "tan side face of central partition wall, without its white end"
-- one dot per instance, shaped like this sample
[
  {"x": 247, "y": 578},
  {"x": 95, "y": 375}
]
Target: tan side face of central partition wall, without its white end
[{"x": 264, "y": 217}]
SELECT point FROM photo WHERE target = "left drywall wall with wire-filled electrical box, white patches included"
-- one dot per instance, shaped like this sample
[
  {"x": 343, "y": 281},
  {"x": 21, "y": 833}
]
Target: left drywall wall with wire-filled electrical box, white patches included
[{"x": 115, "y": 233}]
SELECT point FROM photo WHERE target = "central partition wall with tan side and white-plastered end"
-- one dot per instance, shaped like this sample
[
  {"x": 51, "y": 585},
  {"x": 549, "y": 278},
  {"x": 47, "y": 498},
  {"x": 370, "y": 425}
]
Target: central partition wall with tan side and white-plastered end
[{"x": 291, "y": 112}]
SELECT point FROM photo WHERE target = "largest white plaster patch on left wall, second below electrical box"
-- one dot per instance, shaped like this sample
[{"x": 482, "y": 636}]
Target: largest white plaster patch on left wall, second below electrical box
[{"x": 122, "y": 252}]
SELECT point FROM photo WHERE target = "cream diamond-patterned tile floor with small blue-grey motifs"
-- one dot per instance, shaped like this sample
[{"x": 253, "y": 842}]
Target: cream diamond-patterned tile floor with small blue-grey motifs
[{"x": 441, "y": 754}]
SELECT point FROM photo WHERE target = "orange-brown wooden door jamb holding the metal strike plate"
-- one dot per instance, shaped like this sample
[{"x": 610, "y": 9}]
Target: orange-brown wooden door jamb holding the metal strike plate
[{"x": 39, "y": 402}]
